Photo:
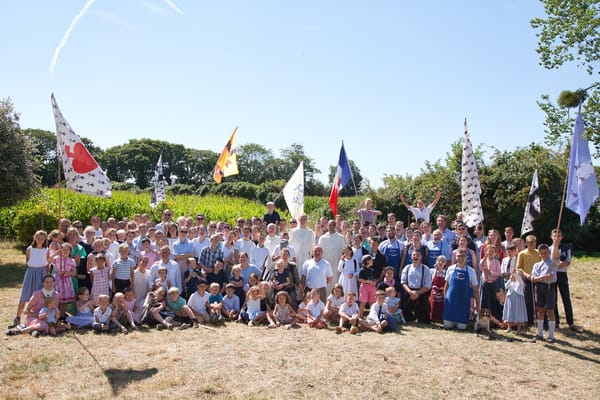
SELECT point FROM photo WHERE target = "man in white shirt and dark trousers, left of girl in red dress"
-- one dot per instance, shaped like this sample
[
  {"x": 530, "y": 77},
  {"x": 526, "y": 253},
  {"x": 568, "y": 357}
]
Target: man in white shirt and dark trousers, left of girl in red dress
[{"x": 416, "y": 281}]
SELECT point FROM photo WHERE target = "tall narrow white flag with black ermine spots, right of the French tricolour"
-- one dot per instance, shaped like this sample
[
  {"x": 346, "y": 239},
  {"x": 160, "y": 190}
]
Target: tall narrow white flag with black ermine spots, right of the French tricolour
[{"x": 472, "y": 212}]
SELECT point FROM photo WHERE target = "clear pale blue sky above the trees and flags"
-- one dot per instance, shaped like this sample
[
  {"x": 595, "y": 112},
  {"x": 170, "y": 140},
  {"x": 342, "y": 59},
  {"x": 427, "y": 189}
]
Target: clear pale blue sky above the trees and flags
[{"x": 393, "y": 79}]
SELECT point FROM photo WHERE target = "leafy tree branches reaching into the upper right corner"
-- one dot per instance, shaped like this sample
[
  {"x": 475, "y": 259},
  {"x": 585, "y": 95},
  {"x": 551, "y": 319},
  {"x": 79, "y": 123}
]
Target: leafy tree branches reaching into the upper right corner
[{"x": 570, "y": 34}]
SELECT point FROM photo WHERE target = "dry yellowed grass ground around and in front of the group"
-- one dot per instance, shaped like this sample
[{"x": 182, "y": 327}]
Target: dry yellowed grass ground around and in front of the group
[{"x": 235, "y": 361}]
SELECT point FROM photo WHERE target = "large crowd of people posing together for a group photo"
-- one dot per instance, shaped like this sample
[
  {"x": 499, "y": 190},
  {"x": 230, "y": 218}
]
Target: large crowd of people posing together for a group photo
[{"x": 343, "y": 275}]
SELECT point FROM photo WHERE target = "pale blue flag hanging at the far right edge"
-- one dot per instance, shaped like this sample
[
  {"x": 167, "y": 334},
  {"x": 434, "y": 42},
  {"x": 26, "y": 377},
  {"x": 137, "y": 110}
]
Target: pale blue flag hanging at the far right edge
[{"x": 582, "y": 186}]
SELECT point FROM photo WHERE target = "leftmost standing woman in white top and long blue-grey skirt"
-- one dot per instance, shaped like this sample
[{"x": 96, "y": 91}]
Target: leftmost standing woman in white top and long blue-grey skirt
[{"x": 37, "y": 264}]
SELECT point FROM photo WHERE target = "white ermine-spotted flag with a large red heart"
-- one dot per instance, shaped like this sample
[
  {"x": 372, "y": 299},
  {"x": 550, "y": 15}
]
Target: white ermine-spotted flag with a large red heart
[{"x": 82, "y": 172}]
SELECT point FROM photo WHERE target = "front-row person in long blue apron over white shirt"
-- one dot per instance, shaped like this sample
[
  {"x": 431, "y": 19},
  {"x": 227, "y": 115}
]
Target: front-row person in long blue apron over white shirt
[{"x": 459, "y": 291}]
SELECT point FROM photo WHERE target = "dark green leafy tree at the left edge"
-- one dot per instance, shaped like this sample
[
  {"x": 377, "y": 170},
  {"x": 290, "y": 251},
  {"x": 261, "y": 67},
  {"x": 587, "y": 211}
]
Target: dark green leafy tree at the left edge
[{"x": 16, "y": 177}]
